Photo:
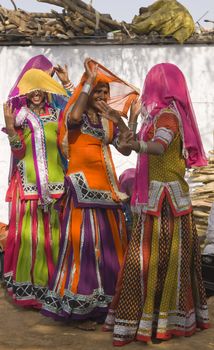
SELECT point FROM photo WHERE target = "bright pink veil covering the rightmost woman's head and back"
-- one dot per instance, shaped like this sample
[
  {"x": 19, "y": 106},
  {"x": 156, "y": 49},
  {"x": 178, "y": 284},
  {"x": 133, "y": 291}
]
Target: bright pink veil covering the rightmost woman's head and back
[{"x": 164, "y": 86}]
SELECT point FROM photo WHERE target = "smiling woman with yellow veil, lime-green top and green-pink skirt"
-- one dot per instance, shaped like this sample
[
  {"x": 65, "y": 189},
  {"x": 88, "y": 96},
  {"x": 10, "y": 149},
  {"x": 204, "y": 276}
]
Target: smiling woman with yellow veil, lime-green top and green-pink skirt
[{"x": 36, "y": 179}]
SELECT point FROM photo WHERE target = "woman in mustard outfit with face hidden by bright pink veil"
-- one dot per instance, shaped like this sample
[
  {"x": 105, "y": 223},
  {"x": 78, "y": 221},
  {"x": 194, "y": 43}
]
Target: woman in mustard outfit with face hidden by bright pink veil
[{"x": 161, "y": 289}]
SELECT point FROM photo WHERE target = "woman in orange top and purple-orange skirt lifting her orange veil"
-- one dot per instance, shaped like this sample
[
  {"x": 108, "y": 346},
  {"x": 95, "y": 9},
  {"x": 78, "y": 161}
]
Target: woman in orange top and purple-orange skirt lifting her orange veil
[{"x": 93, "y": 228}]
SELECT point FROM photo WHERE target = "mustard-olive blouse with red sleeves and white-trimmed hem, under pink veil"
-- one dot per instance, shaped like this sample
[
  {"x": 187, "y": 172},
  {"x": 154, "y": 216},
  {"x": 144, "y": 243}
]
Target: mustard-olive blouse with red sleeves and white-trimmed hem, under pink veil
[{"x": 167, "y": 171}]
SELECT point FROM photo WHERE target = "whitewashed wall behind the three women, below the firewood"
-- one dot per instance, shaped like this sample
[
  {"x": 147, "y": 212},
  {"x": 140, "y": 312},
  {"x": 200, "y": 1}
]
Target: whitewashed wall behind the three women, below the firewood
[{"x": 131, "y": 63}]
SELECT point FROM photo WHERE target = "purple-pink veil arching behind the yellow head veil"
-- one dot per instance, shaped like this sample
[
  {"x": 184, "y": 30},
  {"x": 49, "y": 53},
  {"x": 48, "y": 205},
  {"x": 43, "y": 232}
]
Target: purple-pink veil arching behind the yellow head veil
[{"x": 37, "y": 62}]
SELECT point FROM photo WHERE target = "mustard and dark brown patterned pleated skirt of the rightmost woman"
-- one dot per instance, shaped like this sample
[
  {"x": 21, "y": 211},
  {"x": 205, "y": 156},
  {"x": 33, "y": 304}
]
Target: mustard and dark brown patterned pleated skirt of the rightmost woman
[{"x": 160, "y": 290}]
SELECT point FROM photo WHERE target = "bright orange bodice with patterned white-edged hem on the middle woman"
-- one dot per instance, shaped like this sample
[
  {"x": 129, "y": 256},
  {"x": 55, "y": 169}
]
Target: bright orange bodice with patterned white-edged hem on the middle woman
[{"x": 90, "y": 161}]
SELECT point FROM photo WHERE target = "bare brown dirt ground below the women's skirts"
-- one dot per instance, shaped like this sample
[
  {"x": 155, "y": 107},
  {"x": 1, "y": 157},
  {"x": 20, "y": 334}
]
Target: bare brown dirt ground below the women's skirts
[{"x": 29, "y": 330}]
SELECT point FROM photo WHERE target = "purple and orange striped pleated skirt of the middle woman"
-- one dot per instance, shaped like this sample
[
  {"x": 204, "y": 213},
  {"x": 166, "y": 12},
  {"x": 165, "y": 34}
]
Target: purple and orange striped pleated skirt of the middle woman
[{"x": 92, "y": 247}]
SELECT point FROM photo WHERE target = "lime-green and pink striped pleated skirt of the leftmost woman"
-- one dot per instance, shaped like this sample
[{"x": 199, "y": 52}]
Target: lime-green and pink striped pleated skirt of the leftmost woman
[{"x": 31, "y": 251}]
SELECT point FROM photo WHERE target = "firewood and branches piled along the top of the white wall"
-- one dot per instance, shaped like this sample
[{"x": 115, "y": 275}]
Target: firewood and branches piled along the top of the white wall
[{"x": 77, "y": 23}]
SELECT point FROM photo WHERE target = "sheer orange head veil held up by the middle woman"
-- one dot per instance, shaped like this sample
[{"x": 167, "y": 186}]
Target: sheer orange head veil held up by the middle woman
[{"x": 122, "y": 94}]
